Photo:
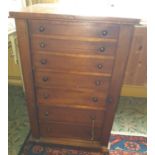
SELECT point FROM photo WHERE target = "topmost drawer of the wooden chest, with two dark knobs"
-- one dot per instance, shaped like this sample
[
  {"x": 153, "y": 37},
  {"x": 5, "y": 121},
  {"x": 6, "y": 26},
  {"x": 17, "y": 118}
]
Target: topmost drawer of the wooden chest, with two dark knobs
[{"x": 74, "y": 29}]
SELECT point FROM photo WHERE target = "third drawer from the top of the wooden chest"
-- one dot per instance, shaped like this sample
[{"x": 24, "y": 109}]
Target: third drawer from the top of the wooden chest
[{"x": 72, "y": 63}]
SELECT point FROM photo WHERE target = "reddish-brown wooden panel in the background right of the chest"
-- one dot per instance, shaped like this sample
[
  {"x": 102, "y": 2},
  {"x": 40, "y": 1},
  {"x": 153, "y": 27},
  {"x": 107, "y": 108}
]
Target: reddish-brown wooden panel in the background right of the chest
[{"x": 136, "y": 72}]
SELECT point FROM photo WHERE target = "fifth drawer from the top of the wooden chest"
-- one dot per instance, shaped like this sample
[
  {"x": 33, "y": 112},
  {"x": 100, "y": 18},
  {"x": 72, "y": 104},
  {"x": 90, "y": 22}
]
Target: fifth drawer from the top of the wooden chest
[{"x": 70, "y": 97}]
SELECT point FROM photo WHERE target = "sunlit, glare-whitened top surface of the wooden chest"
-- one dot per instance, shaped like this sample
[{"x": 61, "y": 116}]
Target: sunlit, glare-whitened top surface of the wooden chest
[{"x": 75, "y": 12}]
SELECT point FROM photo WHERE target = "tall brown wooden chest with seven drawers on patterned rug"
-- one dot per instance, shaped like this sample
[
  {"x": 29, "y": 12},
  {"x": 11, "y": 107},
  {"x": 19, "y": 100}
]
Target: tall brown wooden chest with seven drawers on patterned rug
[{"x": 73, "y": 67}]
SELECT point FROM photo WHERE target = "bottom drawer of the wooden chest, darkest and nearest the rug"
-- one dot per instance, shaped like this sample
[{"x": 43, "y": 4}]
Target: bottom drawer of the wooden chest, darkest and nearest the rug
[{"x": 66, "y": 130}]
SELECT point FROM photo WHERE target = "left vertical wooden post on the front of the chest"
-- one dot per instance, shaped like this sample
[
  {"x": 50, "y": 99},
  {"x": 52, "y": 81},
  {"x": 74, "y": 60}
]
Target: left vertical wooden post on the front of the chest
[{"x": 25, "y": 56}]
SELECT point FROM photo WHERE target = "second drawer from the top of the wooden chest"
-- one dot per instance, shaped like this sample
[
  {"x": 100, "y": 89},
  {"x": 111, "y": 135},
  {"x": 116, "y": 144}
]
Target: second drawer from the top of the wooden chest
[{"x": 73, "y": 46}]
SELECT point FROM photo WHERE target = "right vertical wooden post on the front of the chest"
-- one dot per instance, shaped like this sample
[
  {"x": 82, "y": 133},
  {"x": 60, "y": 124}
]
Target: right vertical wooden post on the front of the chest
[{"x": 117, "y": 78}]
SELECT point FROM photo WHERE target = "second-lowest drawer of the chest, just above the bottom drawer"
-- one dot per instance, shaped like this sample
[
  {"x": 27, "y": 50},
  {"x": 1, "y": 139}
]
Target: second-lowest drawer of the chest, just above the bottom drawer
[{"x": 72, "y": 115}]
